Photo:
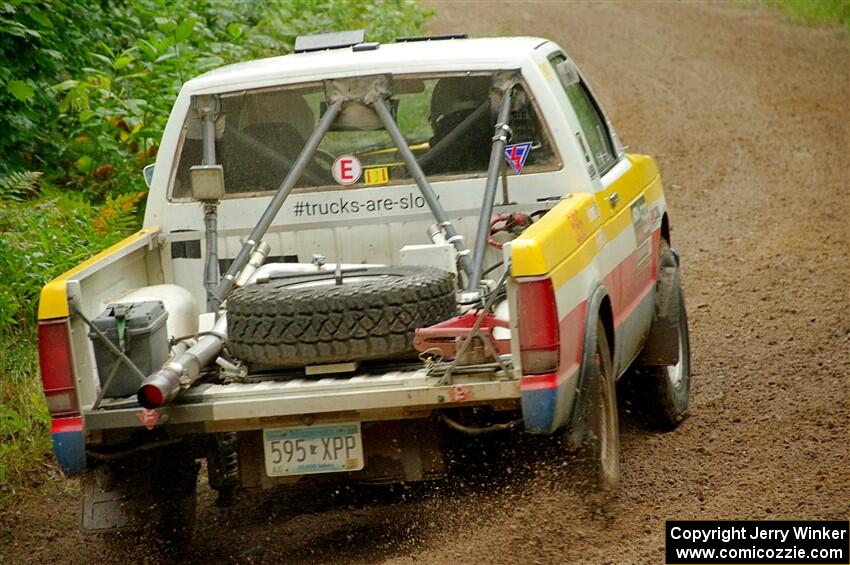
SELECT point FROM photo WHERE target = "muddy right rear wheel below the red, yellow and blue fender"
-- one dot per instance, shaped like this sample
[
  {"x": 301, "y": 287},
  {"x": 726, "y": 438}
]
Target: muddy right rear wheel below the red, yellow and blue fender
[{"x": 599, "y": 455}]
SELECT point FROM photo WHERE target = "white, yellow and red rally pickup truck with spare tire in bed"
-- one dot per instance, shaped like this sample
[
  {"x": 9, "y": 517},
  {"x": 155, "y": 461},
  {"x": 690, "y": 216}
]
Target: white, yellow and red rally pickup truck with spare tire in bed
[{"x": 350, "y": 251}]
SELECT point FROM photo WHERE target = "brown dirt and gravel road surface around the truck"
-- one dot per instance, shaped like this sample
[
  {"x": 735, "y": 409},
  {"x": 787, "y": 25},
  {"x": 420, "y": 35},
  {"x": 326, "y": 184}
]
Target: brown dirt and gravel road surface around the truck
[{"x": 748, "y": 118}]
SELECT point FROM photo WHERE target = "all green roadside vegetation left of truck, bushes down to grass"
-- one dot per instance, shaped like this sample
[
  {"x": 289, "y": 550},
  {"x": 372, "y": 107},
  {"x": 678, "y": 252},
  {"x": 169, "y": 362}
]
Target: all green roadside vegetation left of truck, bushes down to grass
[{"x": 85, "y": 90}]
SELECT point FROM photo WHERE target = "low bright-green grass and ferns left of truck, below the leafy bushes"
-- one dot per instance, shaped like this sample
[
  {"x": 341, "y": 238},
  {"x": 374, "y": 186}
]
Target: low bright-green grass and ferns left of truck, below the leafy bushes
[{"x": 44, "y": 231}]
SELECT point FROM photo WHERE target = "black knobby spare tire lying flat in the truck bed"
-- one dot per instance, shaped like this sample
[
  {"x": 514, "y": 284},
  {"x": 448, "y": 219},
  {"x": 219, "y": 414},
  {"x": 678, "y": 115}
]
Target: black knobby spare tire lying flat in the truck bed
[{"x": 303, "y": 320}]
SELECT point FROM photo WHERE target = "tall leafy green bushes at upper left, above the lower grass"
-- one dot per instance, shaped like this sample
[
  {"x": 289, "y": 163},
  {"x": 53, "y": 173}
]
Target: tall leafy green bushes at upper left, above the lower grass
[{"x": 89, "y": 84}]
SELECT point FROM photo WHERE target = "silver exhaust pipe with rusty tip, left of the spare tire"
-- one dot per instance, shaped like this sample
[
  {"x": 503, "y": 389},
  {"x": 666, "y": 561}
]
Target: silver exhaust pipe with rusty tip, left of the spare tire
[{"x": 183, "y": 370}]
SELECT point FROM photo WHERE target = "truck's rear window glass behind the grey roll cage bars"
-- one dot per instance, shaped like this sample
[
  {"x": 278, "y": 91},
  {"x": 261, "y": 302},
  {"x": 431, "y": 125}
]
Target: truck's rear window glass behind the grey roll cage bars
[{"x": 259, "y": 133}]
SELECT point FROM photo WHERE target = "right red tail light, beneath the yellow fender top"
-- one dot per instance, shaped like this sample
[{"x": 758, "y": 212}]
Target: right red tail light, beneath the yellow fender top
[{"x": 539, "y": 331}]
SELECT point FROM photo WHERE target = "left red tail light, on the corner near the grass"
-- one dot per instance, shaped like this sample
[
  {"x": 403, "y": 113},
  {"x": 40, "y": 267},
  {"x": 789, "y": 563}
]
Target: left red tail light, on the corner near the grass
[{"x": 57, "y": 372}]
